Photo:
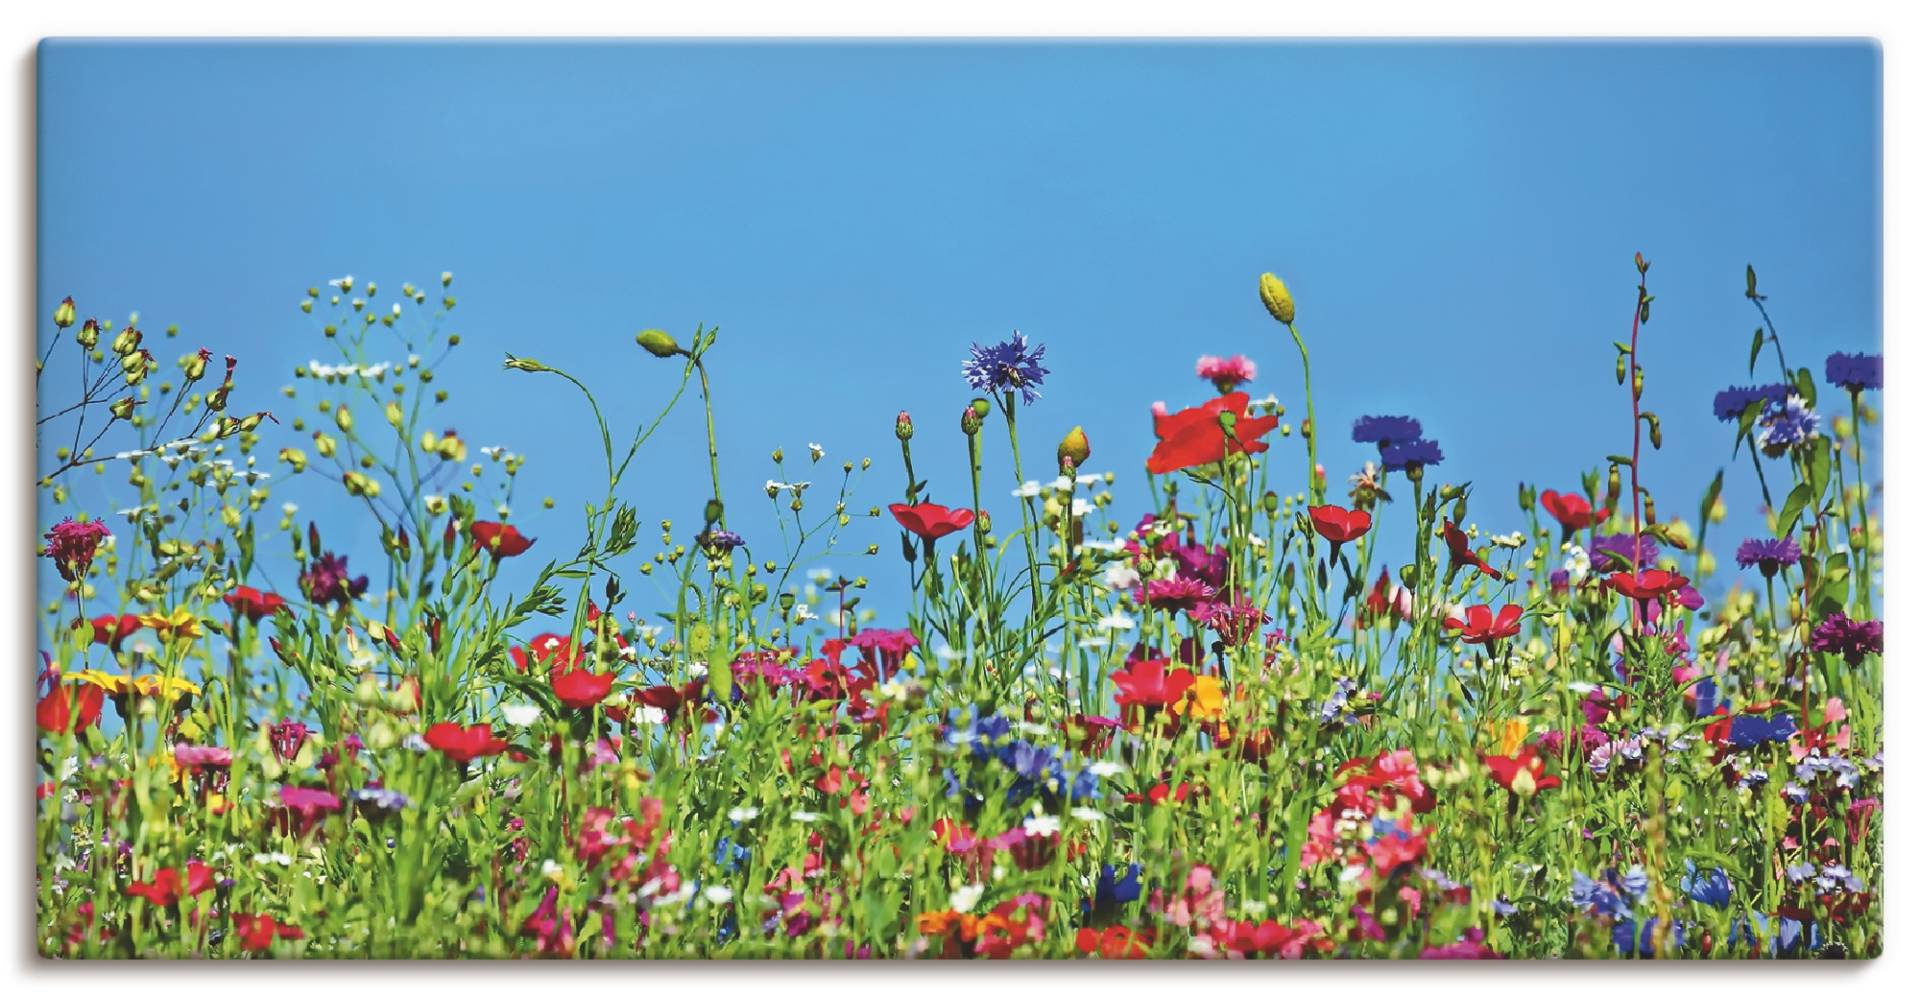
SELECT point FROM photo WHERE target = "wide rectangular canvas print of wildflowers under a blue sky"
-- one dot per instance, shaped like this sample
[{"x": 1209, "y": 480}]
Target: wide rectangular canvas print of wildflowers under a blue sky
[{"x": 959, "y": 502}]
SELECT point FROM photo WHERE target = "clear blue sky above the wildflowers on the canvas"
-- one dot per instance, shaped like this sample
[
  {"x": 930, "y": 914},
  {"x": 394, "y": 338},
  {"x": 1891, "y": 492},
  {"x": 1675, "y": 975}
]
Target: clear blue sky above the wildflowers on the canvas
[{"x": 1456, "y": 224}]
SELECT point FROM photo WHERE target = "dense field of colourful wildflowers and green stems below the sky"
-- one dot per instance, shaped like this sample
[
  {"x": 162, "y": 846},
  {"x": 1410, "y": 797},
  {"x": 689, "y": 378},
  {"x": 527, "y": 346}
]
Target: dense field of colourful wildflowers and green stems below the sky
[{"x": 1234, "y": 723}]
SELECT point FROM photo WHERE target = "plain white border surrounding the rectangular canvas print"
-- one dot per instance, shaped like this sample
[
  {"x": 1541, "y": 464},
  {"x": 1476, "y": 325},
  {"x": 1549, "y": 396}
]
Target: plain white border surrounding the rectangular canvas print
[{"x": 28, "y": 22}]
